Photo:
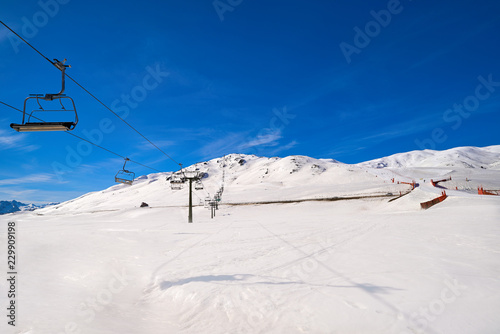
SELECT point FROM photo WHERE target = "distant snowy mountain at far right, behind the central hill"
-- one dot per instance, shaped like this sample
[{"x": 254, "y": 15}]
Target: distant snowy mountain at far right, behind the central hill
[{"x": 468, "y": 157}]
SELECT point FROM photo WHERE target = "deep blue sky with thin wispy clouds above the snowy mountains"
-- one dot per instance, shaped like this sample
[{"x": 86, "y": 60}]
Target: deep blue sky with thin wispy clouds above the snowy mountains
[{"x": 348, "y": 80}]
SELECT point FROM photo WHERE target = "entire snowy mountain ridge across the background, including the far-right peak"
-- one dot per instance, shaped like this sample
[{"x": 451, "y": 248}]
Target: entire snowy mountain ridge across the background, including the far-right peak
[{"x": 252, "y": 179}]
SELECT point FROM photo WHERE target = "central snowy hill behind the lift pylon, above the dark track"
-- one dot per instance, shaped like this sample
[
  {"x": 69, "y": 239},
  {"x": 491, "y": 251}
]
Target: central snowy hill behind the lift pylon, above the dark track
[{"x": 247, "y": 179}]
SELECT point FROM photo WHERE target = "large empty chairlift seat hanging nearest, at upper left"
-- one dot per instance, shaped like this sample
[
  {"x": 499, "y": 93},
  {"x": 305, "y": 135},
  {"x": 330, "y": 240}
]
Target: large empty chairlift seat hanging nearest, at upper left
[{"x": 68, "y": 107}]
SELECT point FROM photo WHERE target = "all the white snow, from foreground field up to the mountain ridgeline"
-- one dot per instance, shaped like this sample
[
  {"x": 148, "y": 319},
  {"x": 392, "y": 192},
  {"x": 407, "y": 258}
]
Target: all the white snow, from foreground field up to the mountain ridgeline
[{"x": 102, "y": 264}]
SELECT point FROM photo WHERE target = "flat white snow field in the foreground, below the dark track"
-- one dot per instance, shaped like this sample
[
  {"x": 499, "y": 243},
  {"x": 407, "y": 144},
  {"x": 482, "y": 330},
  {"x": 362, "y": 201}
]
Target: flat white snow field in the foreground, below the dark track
[{"x": 315, "y": 267}]
